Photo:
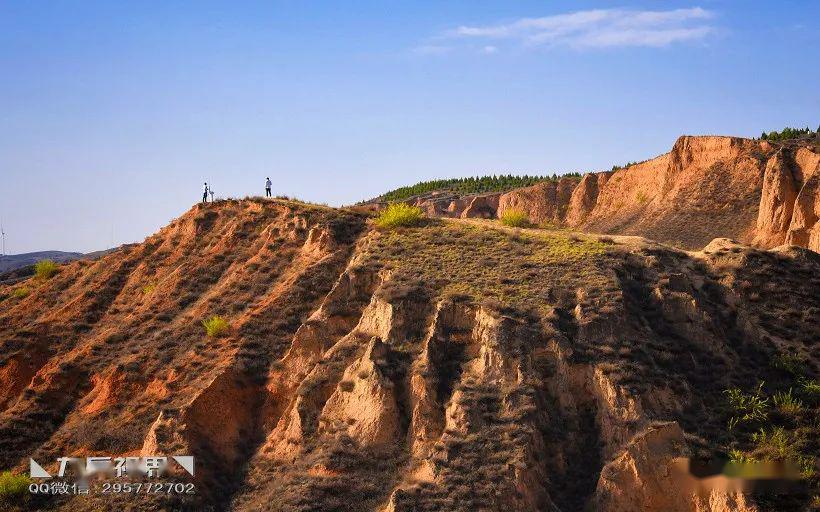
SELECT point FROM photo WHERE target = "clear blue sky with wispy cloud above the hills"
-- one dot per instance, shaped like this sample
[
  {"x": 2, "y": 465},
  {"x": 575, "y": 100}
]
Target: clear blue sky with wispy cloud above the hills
[{"x": 113, "y": 113}]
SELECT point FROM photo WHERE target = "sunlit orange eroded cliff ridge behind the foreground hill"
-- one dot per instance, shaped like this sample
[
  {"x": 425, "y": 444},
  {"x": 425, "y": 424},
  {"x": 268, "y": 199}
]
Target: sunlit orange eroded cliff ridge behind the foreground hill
[{"x": 760, "y": 192}]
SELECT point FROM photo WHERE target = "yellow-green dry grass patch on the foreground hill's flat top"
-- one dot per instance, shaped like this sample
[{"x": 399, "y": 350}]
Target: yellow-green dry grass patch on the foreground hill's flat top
[{"x": 515, "y": 269}]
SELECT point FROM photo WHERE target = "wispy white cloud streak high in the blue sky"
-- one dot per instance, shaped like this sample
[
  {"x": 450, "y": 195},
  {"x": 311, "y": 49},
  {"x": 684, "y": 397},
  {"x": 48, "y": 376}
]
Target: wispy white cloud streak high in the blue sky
[{"x": 599, "y": 28}]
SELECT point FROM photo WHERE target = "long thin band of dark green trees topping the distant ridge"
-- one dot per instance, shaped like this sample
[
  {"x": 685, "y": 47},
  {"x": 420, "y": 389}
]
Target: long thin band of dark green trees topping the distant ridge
[{"x": 471, "y": 185}]
